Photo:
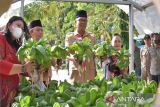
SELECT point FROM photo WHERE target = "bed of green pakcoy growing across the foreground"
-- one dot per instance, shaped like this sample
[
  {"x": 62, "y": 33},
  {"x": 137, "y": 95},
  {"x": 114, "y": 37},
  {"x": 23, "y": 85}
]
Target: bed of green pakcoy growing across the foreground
[{"x": 129, "y": 90}]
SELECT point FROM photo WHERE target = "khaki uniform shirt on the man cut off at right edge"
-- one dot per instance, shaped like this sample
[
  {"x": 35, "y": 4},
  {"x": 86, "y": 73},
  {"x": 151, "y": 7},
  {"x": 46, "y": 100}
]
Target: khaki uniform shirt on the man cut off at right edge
[{"x": 154, "y": 60}]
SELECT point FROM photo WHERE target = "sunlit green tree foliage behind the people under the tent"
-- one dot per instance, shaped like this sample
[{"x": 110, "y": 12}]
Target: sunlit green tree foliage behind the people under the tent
[{"x": 58, "y": 18}]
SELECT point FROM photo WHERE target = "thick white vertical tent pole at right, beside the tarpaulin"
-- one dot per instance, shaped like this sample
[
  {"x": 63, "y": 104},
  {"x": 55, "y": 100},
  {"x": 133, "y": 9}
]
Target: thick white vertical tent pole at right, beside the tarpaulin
[{"x": 131, "y": 46}]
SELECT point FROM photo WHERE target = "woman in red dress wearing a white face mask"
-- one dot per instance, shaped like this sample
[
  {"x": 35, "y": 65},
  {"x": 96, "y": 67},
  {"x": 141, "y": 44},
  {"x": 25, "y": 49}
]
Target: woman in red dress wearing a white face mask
[{"x": 10, "y": 67}]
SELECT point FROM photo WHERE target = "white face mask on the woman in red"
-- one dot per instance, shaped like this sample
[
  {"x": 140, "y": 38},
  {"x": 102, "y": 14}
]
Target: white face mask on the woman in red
[{"x": 16, "y": 32}]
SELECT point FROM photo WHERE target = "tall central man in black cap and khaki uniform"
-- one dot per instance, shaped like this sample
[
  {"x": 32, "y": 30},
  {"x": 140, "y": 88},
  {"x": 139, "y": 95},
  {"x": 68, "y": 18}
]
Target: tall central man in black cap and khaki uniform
[{"x": 79, "y": 34}]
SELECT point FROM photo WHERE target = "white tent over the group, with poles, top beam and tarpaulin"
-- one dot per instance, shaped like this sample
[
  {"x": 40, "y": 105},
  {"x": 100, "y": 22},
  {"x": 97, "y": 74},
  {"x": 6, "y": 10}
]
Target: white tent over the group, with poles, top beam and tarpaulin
[{"x": 142, "y": 14}]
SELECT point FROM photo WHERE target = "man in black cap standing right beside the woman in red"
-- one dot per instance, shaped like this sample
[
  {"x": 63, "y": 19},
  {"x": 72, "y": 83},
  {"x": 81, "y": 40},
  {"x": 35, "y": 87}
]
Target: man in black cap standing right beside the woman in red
[{"x": 36, "y": 32}]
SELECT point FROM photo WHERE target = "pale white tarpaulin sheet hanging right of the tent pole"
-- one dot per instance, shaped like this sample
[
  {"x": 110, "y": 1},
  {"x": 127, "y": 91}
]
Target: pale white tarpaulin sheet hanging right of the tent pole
[{"x": 147, "y": 21}]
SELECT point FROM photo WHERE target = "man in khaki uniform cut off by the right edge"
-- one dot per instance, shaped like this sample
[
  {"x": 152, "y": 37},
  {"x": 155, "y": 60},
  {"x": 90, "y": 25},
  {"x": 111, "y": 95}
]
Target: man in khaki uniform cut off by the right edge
[{"x": 154, "y": 59}]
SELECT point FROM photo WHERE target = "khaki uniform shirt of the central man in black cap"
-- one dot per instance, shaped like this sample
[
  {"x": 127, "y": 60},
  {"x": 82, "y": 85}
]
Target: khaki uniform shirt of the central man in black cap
[{"x": 75, "y": 70}]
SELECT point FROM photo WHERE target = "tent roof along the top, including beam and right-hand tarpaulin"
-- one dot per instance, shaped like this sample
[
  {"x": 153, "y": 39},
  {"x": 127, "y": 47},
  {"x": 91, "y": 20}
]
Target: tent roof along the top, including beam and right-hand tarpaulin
[{"x": 145, "y": 14}]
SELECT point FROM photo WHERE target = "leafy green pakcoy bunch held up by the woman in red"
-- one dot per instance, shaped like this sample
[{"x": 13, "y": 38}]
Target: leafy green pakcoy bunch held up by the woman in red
[{"x": 36, "y": 51}]
